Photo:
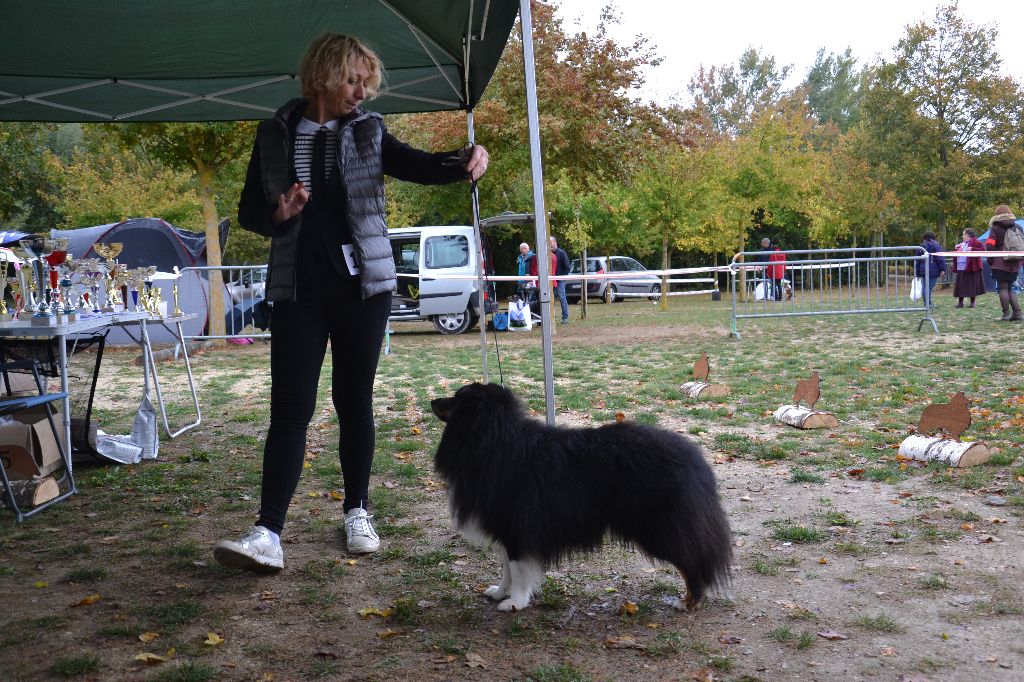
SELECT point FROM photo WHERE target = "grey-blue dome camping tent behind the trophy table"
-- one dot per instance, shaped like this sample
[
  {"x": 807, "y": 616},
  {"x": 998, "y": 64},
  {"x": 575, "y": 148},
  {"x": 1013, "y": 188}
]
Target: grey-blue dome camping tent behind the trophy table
[{"x": 154, "y": 242}]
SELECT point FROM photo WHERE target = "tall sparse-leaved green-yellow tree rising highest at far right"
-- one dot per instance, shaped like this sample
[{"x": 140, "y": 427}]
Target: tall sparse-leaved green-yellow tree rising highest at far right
[{"x": 932, "y": 109}]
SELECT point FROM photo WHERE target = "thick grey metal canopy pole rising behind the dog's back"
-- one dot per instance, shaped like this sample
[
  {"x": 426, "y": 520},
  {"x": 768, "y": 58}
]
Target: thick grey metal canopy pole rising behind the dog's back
[{"x": 540, "y": 215}]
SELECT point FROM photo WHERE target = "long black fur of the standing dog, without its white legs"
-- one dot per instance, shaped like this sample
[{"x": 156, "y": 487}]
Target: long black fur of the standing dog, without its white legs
[{"x": 545, "y": 493}]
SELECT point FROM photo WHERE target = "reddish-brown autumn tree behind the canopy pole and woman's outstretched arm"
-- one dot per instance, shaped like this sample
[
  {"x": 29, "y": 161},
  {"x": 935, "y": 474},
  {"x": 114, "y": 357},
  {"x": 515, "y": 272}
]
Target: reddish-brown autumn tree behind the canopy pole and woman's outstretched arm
[{"x": 593, "y": 129}]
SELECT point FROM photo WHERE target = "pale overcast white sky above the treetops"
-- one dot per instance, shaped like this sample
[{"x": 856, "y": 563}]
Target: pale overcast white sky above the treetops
[{"x": 717, "y": 32}]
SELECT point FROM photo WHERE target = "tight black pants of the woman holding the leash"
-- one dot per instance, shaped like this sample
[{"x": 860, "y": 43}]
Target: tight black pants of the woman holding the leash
[{"x": 331, "y": 309}]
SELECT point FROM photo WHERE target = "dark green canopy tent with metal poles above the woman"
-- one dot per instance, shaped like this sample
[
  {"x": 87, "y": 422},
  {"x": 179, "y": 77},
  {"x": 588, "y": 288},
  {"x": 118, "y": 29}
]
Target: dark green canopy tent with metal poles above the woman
[{"x": 112, "y": 61}]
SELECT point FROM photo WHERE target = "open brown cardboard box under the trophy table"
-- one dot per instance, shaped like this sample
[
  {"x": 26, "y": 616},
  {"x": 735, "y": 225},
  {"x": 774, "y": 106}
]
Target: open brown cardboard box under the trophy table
[{"x": 28, "y": 447}]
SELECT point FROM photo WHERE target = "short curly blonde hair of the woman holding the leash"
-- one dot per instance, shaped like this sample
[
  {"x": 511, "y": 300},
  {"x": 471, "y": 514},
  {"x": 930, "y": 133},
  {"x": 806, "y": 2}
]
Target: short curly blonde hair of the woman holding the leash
[{"x": 329, "y": 60}]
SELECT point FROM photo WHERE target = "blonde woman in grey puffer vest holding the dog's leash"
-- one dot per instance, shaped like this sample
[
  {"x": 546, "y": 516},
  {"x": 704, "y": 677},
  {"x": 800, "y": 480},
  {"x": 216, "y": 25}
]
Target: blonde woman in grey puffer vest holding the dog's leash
[{"x": 316, "y": 187}]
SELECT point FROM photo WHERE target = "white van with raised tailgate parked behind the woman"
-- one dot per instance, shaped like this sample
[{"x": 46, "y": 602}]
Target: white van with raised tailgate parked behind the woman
[{"x": 424, "y": 258}]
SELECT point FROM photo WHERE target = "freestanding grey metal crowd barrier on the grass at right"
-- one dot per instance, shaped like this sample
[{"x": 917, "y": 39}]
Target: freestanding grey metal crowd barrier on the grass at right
[{"x": 829, "y": 282}]
